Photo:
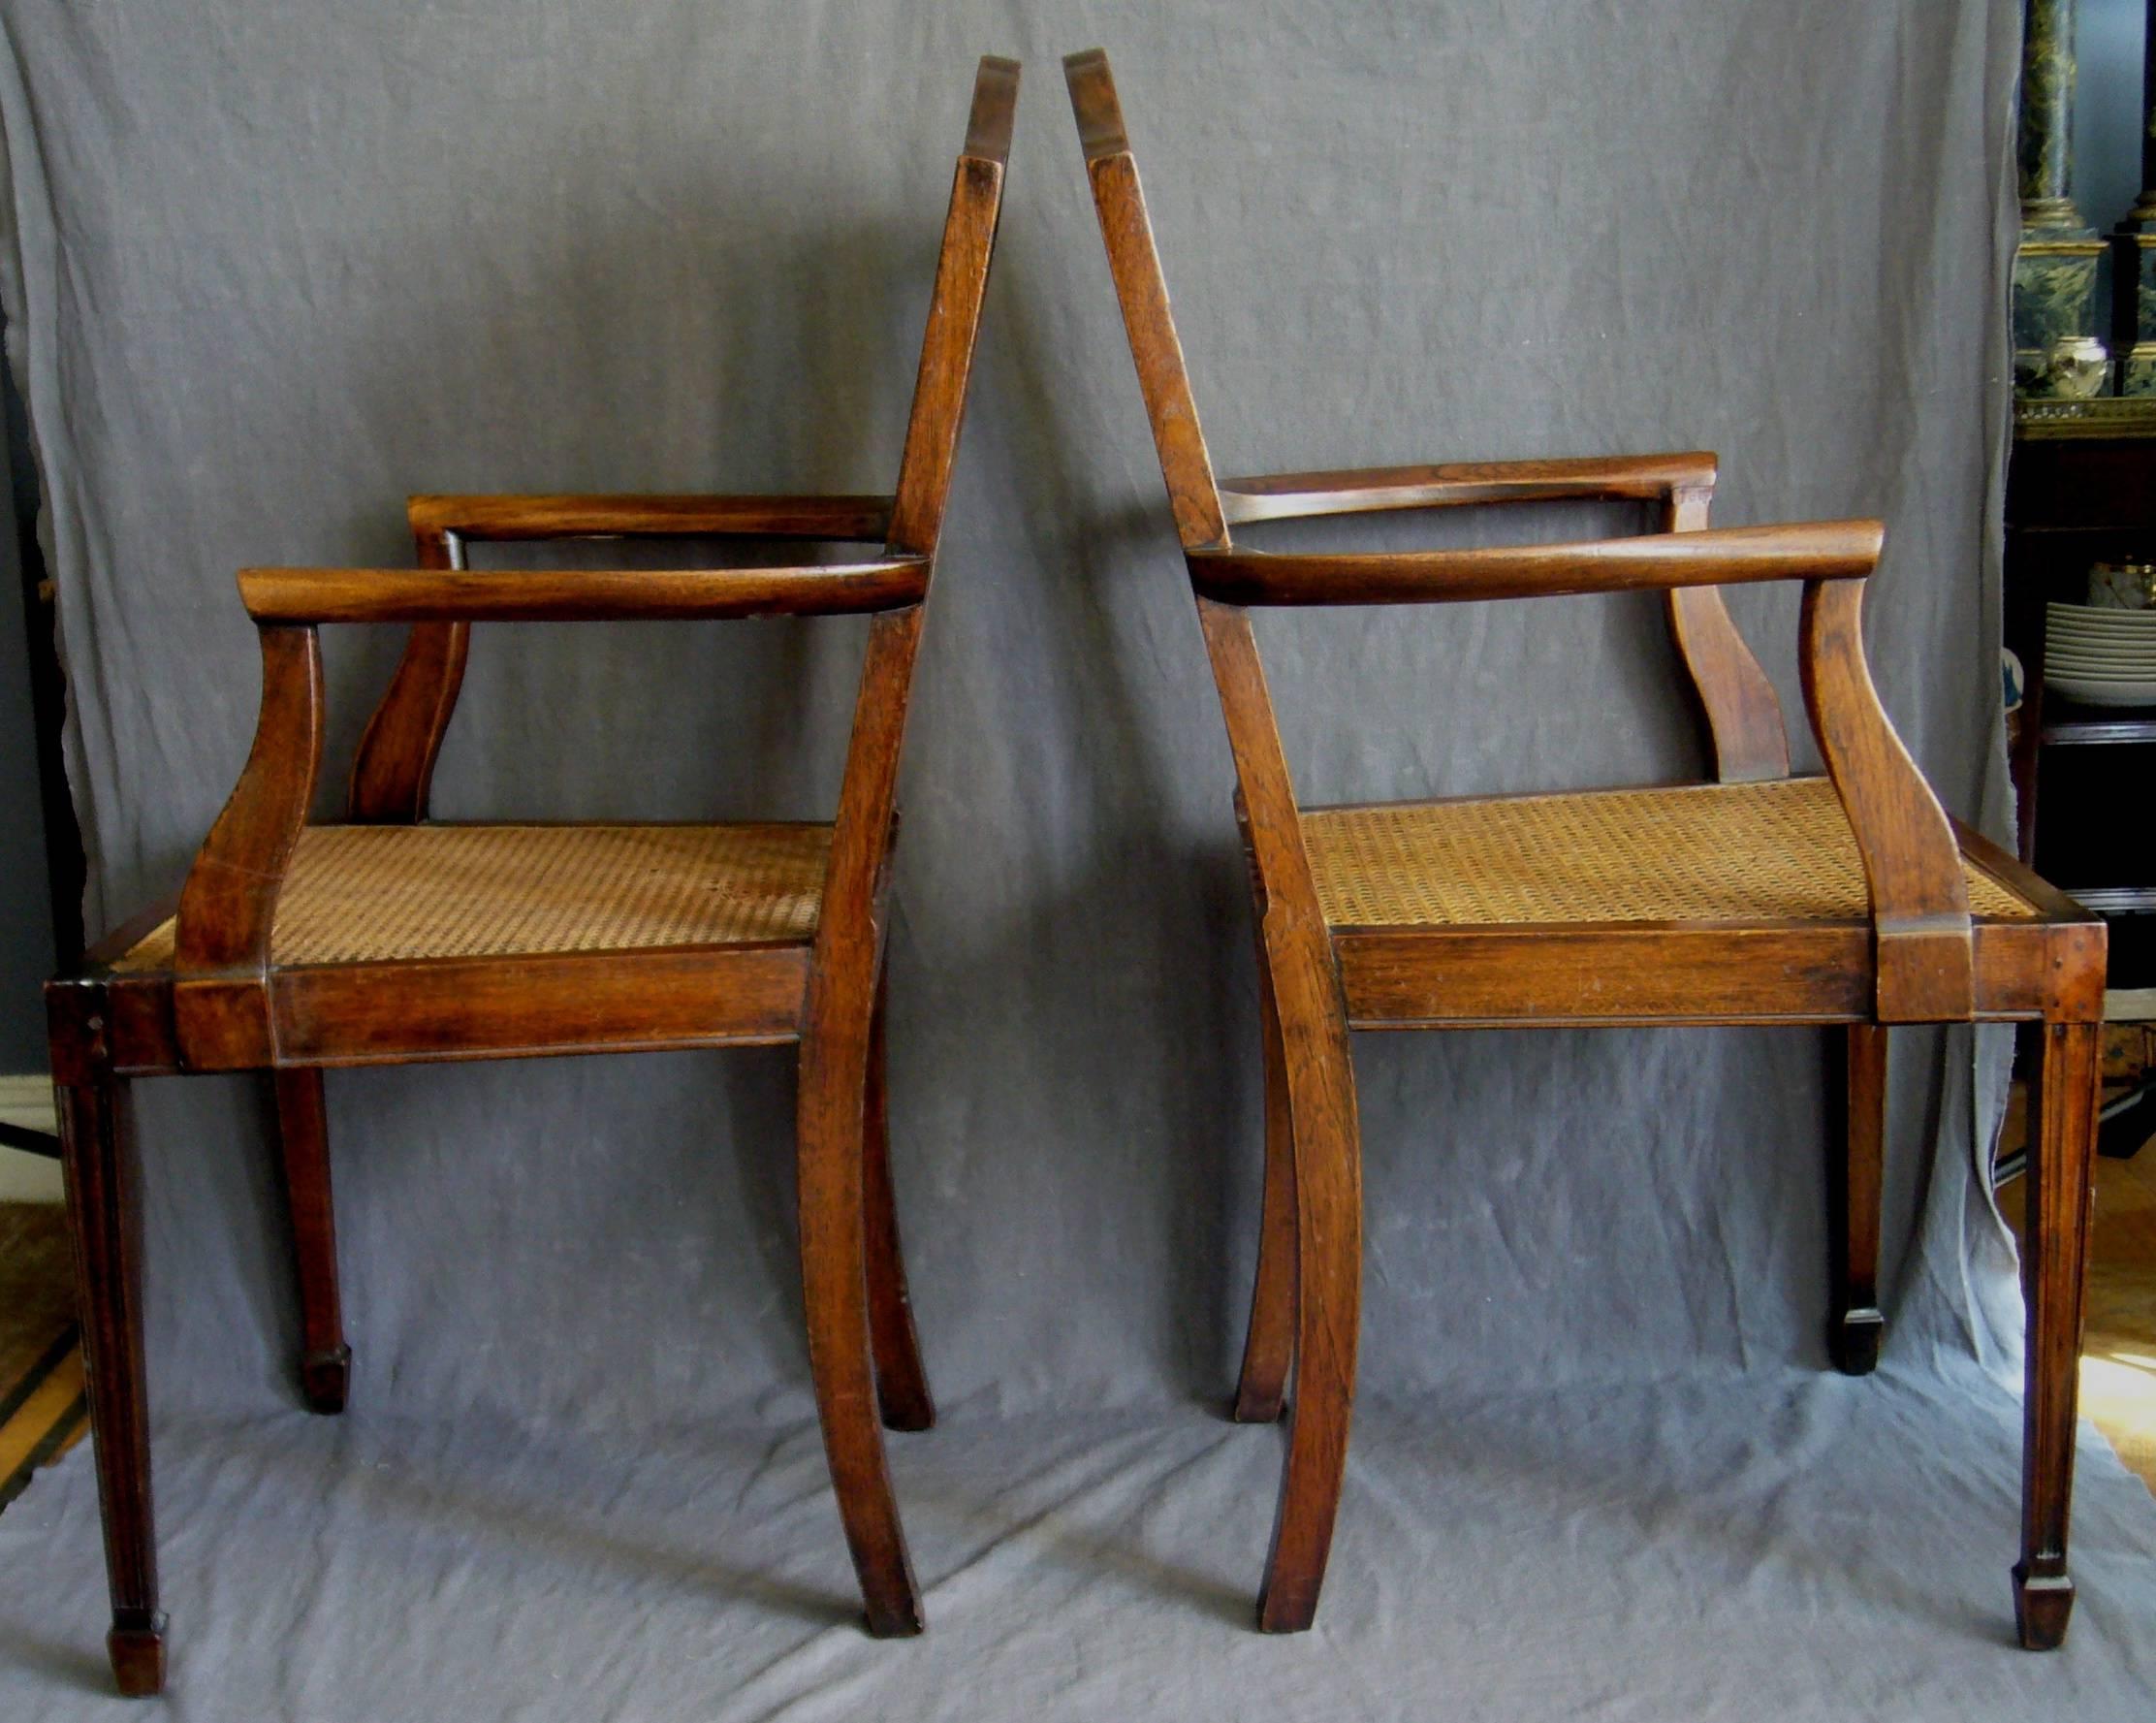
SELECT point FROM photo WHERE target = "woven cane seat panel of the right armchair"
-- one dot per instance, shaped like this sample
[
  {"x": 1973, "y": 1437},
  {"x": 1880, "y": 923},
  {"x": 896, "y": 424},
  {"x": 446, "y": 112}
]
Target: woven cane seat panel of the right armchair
[{"x": 1713, "y": 853}]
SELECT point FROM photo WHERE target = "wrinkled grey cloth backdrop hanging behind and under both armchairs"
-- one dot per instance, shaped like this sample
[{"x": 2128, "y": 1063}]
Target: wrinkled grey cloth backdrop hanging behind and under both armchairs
[{"x": 275, "y": 266}]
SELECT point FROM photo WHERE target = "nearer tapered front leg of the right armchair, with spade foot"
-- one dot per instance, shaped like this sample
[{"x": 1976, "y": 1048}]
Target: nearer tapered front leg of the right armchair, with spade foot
[{"x": 2062, "y": 1140}]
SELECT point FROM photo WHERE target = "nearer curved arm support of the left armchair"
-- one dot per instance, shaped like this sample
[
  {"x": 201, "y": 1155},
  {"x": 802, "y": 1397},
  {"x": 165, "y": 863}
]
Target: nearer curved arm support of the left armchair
[{"x": 230, "y": 902}]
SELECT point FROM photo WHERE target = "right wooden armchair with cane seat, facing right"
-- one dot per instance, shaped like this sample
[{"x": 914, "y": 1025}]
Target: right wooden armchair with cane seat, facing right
[{"x": 1760, "y": 898}]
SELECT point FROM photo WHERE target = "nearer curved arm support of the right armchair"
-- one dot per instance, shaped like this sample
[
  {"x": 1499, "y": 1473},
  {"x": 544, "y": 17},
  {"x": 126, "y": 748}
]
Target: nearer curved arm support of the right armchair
[{"x": 1913, "y": 866}]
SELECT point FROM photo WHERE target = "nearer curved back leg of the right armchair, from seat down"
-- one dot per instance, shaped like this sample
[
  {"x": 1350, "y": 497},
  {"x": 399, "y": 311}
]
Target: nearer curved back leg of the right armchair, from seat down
[{"x": 1329, "y": 1280}]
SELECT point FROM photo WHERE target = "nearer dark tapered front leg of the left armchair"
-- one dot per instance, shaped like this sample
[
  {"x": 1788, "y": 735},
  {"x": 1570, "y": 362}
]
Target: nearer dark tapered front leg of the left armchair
[{"x": 107, "y": 1222}]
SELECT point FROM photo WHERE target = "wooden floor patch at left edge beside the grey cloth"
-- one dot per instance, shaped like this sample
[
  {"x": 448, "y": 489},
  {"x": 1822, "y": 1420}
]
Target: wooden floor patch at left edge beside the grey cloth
[{"x": 42, "y": 1411}]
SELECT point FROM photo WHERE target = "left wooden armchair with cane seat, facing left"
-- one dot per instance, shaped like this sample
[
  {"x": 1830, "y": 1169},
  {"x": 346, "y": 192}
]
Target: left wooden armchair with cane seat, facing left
[{"x": 391, "y": 939}]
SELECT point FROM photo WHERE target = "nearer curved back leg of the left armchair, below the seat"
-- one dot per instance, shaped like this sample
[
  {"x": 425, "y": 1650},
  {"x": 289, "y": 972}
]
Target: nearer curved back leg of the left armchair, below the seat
[{"x": 835, "y": 1295}]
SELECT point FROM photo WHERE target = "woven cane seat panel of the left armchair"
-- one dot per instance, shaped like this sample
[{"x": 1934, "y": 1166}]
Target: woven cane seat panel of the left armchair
[{"x": 378, "y": 894}]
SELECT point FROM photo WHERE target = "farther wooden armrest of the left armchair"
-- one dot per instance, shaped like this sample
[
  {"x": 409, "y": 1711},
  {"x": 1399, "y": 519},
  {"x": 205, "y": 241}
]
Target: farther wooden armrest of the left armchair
[{"x": 838, "y": 519}]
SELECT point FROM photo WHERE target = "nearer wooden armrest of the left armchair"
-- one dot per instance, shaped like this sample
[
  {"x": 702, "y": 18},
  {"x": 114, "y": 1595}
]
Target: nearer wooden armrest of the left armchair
[{"x": 426, "y": 596}]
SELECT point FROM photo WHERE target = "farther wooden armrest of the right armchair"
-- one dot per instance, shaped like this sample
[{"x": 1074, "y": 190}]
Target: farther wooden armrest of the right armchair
[{"x": 1622, "y": 478}]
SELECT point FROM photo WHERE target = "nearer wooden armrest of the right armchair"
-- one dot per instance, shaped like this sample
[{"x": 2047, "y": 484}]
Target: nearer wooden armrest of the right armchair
[{"x": 1825, "y": 551}]
